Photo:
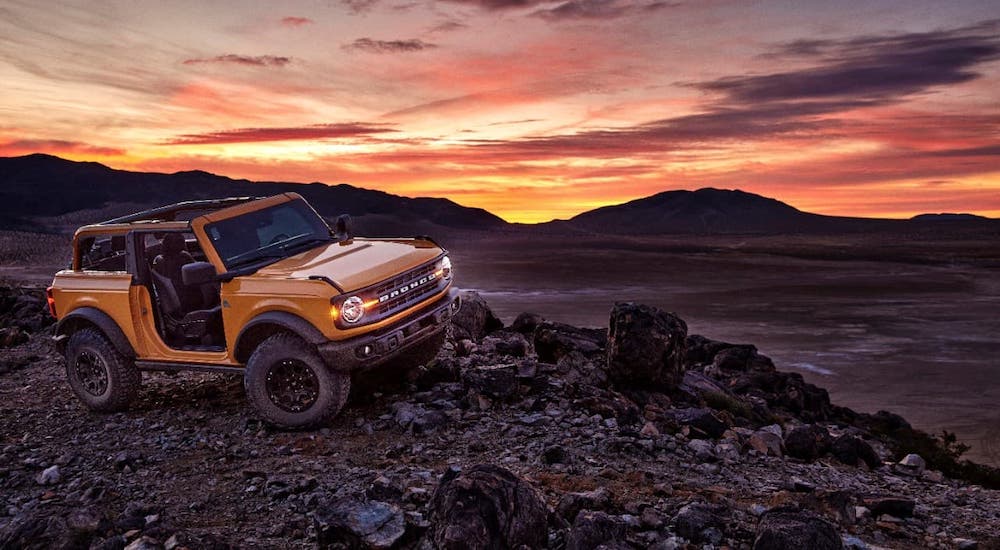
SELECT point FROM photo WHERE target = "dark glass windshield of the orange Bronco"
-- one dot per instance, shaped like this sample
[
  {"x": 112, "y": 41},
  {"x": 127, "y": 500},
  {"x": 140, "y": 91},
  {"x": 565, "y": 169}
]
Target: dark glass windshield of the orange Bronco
[{"x": 268, "y": 234}]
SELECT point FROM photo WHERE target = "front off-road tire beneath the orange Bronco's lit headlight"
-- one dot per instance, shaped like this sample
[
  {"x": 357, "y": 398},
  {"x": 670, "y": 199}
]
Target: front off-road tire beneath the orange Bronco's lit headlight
[{"x": 287, "y": 351}]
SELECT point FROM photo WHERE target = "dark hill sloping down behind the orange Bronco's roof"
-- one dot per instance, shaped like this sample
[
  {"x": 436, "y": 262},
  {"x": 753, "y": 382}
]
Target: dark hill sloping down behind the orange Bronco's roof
[{"x": 49, "y": 193}]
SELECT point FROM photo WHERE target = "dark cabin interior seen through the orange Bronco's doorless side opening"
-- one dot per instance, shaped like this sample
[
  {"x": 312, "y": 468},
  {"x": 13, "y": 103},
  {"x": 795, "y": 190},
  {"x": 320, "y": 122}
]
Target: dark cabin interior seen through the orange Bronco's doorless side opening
[{"x": 189, "y": 315}]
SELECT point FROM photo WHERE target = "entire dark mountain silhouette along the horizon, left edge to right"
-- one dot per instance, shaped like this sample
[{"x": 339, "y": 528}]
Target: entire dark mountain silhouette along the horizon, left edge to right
[{"x": 46, "y": 193}]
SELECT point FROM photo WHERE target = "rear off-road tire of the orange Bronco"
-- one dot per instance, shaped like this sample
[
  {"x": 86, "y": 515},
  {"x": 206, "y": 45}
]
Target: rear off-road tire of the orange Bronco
[{"x": 114, "y": 380}]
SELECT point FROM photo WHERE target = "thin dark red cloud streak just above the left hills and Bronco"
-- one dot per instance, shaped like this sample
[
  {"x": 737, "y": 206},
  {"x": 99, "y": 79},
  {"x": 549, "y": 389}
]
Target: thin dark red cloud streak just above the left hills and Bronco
[{"x": 295, "y": 133}]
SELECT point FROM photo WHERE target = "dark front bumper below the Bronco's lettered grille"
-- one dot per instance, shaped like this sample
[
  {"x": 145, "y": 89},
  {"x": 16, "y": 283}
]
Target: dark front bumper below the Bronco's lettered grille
[{"x": 371, "y": 350}]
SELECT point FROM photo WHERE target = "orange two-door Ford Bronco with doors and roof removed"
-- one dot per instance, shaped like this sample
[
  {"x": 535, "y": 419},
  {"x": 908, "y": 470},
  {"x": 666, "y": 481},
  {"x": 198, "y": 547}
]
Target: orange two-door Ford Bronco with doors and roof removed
[{"x": 256, "y": 286}]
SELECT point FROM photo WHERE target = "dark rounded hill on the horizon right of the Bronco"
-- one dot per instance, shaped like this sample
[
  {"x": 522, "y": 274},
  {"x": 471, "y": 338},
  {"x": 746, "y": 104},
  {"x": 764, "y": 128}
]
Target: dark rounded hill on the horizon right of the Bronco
[{"x": 709, "y": 210}]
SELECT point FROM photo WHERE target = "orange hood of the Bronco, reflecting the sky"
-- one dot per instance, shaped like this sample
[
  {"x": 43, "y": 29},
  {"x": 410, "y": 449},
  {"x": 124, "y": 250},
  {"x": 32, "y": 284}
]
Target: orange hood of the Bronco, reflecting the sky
[{"x": 356, "y": 264}]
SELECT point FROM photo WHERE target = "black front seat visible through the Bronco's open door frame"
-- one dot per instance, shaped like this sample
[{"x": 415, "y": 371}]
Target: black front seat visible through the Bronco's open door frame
[{"x": 188, "y": 317}]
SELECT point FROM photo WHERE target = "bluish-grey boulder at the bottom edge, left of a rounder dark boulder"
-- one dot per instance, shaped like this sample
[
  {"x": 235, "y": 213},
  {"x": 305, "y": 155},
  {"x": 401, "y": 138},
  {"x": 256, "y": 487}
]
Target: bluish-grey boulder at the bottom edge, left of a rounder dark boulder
[{"x": 369, "y": 525}]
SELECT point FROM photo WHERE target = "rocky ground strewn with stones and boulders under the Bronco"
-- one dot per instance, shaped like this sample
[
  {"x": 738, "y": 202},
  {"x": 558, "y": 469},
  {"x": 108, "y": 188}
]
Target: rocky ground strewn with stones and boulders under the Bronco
[{"x": 534, "y": 435}]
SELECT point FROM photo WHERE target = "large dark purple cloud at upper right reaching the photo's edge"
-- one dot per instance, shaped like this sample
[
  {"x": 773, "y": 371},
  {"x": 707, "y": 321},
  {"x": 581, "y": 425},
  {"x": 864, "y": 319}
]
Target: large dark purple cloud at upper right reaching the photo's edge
[{"x": 889, "y": 67}]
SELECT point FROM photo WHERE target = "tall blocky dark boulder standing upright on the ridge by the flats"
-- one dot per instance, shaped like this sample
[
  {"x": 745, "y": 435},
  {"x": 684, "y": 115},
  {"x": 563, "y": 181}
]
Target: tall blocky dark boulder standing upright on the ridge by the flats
[{"x": 646, "y": 347}]
